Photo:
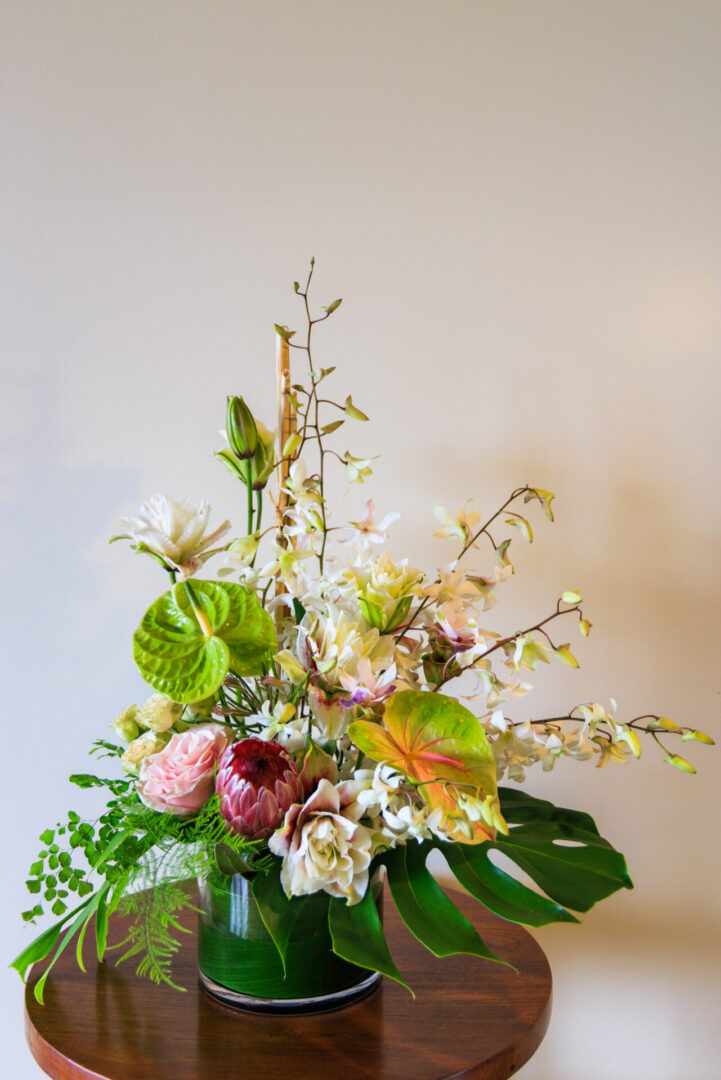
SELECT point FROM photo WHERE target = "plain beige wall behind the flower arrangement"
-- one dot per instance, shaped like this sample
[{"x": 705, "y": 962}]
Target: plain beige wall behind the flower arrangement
[{"x": 520, "y": 202}]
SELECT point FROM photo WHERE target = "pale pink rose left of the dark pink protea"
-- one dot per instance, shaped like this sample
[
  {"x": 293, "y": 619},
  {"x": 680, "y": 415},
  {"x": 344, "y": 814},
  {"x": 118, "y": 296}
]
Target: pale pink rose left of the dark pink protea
[{"x": 180, "y": 779}]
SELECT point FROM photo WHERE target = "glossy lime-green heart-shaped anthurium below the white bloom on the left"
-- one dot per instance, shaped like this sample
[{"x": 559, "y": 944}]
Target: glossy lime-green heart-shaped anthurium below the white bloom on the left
[{"x": 196, "y": 633}]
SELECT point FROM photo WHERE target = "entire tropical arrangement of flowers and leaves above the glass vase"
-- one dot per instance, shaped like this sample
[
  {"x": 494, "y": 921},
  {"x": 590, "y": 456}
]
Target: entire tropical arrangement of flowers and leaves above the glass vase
[{"x": 304, "y": 732}]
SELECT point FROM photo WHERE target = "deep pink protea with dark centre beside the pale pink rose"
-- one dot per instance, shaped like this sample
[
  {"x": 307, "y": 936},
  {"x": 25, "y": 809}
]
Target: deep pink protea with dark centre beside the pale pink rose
[{"x": 257, "y": 782}]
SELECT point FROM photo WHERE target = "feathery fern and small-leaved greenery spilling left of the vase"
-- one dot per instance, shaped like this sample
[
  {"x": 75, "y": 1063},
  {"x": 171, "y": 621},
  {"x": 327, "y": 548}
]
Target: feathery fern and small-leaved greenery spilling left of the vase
[{"x": 129, "y": 846}]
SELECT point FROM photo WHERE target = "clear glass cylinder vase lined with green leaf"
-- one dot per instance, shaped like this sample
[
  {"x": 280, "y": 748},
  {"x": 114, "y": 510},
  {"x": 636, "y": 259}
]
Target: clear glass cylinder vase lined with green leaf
[{"x": 240, "y": 965}]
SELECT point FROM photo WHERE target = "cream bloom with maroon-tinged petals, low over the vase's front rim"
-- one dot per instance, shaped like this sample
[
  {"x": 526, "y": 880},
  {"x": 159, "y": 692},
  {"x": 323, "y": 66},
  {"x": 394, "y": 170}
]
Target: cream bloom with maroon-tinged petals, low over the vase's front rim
[{"x": 322, "y": 848}]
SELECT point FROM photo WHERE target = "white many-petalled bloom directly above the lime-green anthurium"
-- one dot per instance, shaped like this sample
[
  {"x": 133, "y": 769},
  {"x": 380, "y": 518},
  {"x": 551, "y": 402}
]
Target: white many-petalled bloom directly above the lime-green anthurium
[{"x": 172, "y": 532}]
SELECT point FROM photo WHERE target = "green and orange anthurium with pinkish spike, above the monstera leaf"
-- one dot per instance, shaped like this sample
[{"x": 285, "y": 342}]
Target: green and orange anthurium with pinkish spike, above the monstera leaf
[{"x": 443, "y": 748}]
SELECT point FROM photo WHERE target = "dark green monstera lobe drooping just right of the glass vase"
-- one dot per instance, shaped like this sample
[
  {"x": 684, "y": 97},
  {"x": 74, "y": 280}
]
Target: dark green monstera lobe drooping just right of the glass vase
[{"x": 430, "y": 915}]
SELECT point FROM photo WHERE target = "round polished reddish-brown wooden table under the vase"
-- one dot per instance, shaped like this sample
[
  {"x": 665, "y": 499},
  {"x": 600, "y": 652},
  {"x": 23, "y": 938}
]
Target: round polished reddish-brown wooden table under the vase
[{"x": 471, "y": 1019}]
